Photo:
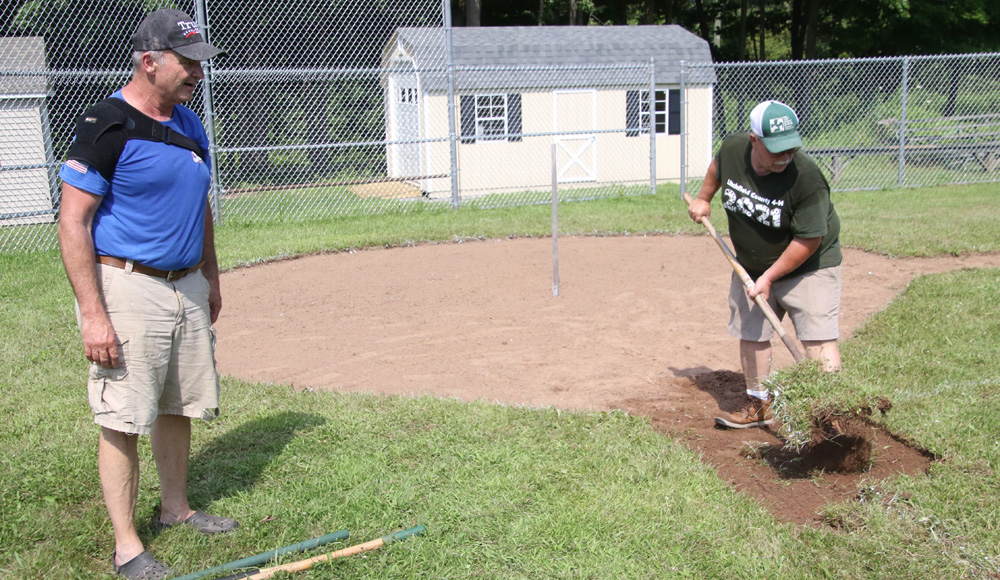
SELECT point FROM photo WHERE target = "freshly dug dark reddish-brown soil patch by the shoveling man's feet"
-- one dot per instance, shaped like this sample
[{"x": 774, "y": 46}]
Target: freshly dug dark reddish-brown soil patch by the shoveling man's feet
[{"x": 793, "y": 484}]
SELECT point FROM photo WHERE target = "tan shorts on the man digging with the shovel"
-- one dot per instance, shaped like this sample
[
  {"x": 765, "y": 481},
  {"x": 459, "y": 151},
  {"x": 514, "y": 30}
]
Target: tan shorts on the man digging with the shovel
[{"x": 811, "y": 300}]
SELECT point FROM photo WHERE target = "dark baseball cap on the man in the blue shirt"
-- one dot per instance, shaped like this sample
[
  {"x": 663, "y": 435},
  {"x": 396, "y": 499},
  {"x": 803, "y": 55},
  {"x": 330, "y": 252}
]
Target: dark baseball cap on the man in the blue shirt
[{"x": 169, "y": 29}]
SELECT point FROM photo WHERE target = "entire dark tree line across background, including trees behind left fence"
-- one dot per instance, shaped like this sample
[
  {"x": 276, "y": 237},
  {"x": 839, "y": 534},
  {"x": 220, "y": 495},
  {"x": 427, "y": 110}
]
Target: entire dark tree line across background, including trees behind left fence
[{"x": 286, "y": 109}]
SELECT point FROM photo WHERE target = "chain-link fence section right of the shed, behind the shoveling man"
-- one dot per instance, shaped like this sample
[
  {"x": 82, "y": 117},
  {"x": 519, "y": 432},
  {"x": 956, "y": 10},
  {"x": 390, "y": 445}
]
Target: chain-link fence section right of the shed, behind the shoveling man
[{"x": 875, "y": 123}]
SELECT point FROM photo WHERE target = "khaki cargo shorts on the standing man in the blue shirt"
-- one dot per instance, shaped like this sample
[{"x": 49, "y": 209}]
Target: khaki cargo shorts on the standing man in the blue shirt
[{"x": 167, "y": 345}]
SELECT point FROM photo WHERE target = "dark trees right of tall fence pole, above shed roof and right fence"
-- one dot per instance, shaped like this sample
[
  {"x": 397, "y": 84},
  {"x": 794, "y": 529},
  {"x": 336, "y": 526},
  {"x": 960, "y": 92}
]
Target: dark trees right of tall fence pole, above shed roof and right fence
[{"x": 757, "y": 30}]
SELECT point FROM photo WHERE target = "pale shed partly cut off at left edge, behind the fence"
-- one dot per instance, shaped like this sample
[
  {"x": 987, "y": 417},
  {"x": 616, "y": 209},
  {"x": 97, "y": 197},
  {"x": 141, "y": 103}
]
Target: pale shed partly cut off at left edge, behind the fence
[{"x": 27, "y": 169}]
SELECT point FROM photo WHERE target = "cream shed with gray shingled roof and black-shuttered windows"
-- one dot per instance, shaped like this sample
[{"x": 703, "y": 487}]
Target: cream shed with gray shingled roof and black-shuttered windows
[{"x": 512, "y": 104}]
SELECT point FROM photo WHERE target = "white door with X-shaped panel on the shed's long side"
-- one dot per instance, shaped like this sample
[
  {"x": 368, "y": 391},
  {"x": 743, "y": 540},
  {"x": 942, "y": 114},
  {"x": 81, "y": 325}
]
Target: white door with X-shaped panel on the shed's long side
[{"x": 574, "y": 122}]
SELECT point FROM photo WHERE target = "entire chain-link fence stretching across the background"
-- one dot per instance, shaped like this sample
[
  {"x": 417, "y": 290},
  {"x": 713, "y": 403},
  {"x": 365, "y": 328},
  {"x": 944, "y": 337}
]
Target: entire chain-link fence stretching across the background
[{"x": 324, "y": 109}]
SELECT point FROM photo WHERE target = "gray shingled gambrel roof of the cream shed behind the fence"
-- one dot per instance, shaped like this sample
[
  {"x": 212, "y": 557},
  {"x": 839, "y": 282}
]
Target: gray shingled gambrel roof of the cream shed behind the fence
[{"x": 546, "y": 46}]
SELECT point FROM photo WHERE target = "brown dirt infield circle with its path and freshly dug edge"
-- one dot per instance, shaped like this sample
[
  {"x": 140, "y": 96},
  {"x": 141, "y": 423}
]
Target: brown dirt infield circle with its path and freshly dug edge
[{"x": 640, "y": 325}]
